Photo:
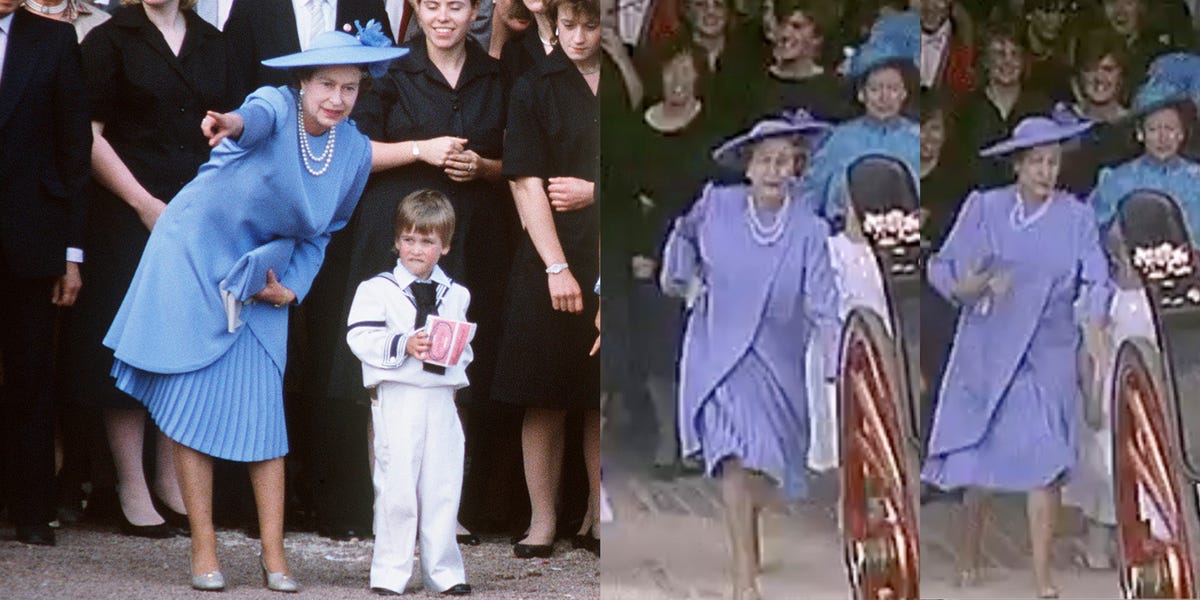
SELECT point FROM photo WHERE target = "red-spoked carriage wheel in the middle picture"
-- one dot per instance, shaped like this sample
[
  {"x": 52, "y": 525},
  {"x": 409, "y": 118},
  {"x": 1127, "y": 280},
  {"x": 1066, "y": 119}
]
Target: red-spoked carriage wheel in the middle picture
[{"x": 878, "y": 505}]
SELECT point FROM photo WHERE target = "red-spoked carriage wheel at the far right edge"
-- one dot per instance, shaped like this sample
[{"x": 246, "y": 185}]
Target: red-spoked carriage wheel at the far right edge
[{"x": 1154, "y": 565}]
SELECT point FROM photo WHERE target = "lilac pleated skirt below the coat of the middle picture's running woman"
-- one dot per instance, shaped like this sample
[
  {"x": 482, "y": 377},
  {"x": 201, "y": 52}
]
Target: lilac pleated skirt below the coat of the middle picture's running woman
[{"x": 749, "y": 417}]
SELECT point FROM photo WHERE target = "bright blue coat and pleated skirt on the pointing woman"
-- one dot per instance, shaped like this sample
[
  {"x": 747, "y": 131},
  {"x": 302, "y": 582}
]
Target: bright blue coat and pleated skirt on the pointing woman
[{"x": 253, "y": 207}]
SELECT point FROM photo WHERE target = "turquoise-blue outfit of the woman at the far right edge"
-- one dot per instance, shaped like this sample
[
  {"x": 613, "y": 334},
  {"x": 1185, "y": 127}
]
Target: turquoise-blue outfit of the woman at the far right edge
[{"x": 1178, "y": 178}]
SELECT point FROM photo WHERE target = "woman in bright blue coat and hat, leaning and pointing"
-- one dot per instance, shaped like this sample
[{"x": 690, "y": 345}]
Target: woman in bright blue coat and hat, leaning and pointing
[{"x": 201, "y": 338}]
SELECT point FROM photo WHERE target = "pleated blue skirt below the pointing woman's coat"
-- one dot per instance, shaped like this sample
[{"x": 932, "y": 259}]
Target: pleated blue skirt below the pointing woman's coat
[{"x": 231, "y": 410}]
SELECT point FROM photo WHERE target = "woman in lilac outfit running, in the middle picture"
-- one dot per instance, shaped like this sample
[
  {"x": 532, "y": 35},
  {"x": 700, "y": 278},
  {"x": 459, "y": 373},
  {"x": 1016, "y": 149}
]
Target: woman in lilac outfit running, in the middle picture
[{"x": 754, "y": 265}]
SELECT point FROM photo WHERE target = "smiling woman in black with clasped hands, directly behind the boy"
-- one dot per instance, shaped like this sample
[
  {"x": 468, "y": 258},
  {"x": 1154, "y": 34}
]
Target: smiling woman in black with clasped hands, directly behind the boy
[{"x": 445, "y": 101}]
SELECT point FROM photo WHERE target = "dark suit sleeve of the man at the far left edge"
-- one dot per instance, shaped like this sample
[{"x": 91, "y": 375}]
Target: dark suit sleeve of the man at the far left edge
[{"x": 73, "y": 131}]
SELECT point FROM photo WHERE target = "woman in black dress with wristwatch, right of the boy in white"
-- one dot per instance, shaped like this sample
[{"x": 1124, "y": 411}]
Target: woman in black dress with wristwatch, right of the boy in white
[{"x": 553, "y": 161}]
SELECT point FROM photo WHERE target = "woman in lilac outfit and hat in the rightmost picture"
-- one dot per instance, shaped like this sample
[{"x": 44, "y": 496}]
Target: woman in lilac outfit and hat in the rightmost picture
[{"x": 1016, "y": 265}]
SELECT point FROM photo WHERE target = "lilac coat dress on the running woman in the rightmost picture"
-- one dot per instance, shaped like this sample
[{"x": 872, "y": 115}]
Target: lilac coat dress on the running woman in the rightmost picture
[{"x": 1010, "y": 409}]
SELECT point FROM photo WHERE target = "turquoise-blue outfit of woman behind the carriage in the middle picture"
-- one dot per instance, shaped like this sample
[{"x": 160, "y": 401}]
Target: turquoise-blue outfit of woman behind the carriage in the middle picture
[{"x": 826, "y": 184}]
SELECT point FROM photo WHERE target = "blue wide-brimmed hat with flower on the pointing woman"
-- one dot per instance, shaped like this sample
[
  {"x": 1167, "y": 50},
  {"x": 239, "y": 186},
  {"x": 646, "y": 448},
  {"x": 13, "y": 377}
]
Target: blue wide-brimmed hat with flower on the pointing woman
[{"x": 370, "y": 49}]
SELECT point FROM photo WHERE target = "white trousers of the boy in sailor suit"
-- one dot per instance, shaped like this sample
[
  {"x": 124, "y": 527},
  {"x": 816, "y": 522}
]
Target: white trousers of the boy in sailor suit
[{"x": 418, "y": 483}]
